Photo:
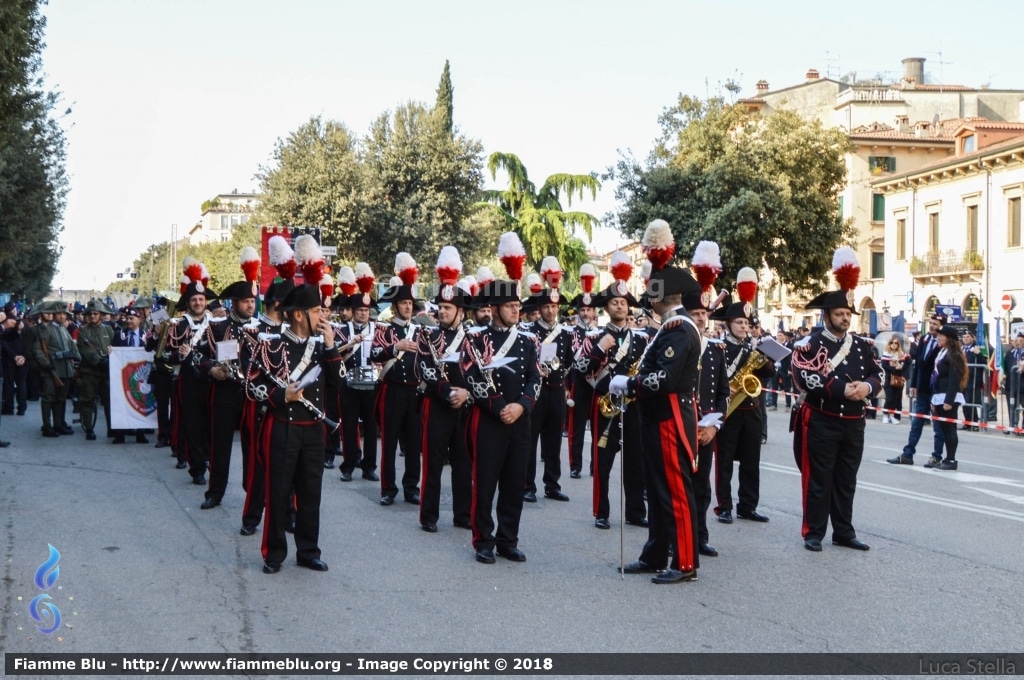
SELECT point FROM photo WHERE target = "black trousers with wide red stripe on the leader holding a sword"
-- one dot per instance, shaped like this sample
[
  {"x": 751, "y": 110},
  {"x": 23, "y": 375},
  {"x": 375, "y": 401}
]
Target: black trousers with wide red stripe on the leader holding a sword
[{"x": 672, "y": 509}]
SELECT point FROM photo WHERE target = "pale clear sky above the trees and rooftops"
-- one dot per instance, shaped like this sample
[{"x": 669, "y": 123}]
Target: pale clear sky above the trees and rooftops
[{"x": 176, "y": 102}]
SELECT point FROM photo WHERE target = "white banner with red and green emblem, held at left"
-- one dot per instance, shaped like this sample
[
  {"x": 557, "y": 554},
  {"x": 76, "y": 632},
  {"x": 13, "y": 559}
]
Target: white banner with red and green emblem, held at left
[{"x": 134, "y": 404}]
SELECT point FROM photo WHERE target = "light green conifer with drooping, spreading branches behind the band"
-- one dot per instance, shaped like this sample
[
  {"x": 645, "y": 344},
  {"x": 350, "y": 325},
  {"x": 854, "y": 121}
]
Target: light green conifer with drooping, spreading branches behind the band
[{"x": 538, "y": 217}]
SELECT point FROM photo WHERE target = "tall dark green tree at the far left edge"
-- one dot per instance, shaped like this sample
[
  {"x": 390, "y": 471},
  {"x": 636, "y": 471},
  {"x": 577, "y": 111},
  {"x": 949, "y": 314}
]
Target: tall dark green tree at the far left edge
[{"x": 33, "y": 181}]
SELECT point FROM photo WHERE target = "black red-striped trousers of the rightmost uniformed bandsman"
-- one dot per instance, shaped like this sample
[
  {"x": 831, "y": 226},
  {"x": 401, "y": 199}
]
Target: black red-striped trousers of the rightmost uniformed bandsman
[{"x": 829, "y": 450}]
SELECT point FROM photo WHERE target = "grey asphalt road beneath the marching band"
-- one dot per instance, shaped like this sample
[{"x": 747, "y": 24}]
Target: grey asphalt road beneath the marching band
[{"x": 143, "y": 569}]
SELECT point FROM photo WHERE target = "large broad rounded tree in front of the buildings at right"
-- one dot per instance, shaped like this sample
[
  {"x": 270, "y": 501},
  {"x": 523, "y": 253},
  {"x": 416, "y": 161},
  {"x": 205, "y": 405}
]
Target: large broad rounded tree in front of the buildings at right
[{"x": 764, "y": 188}]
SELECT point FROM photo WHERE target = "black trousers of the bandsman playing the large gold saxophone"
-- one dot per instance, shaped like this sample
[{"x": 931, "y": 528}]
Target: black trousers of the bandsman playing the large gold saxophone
[{"x": 740, "y": 442}]
